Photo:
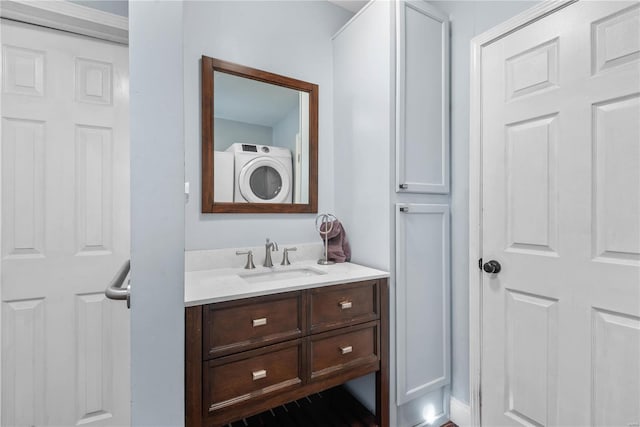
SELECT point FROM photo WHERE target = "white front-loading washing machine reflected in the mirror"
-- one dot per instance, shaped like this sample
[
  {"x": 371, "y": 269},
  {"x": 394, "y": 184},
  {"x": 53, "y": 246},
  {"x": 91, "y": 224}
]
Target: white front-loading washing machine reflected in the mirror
[{"x": 263, "y": 173}]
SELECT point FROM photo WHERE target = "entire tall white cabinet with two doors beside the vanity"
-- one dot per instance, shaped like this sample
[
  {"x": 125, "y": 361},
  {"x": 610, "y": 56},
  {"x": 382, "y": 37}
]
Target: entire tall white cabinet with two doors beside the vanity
[{"x": 391, "y": 121}]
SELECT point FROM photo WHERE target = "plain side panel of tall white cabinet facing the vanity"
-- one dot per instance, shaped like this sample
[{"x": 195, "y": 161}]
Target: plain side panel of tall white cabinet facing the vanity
[{"x": 363, "y": 153}]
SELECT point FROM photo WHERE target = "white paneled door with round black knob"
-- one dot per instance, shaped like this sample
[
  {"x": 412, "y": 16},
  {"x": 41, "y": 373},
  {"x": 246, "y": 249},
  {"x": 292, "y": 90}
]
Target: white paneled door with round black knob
[{"x": 561, "y": 214}]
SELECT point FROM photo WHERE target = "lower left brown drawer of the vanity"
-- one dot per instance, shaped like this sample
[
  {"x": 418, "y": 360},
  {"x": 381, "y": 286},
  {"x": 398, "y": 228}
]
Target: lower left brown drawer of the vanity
[{"x": 241, "y": 377}]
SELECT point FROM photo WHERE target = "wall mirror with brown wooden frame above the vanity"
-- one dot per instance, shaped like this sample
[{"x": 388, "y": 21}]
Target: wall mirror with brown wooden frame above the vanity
[{"x": 259, "y": 141}]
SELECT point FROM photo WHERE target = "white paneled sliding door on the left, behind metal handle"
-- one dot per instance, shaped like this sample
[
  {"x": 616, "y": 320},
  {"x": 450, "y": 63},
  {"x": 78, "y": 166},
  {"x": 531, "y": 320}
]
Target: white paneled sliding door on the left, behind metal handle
[{"x": 65, "y": 228}]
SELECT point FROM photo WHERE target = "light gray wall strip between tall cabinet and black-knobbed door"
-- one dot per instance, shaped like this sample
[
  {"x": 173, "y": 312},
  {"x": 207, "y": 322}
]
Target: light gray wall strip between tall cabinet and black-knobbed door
[{"x": 468, "y": 19}]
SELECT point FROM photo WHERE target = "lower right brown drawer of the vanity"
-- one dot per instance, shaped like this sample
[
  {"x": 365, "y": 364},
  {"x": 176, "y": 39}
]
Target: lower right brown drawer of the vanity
[{"x": 336, "y": 351}]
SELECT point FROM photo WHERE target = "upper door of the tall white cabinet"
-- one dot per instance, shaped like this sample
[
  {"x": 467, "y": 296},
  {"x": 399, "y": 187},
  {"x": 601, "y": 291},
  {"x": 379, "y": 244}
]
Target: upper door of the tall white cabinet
[{"x": 422, "y": 95}]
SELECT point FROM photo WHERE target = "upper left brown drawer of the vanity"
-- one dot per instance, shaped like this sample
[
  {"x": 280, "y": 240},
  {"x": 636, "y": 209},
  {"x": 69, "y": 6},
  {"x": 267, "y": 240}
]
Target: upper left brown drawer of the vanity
[{"x": 240, "y": 325}]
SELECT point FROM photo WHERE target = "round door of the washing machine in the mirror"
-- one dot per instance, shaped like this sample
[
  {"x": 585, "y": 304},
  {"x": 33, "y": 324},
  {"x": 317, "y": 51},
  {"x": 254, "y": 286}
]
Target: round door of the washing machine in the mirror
[{"x": 264, "y": 180}]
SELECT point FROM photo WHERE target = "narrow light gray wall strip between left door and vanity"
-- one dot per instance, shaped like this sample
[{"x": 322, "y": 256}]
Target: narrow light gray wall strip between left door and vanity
[{"x": 157, "y": 214}]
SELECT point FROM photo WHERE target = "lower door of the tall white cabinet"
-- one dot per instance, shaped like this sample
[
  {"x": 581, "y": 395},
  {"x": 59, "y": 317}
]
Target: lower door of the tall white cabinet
[{"x": 422, "y": 303}]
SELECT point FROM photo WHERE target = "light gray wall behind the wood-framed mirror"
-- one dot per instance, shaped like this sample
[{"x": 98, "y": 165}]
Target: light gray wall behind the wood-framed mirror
[{"x": 292, "y": 38}]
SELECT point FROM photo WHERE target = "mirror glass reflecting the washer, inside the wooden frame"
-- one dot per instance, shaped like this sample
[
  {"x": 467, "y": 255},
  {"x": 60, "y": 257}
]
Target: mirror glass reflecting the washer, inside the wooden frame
[{"x": 261, "y": 141}]
